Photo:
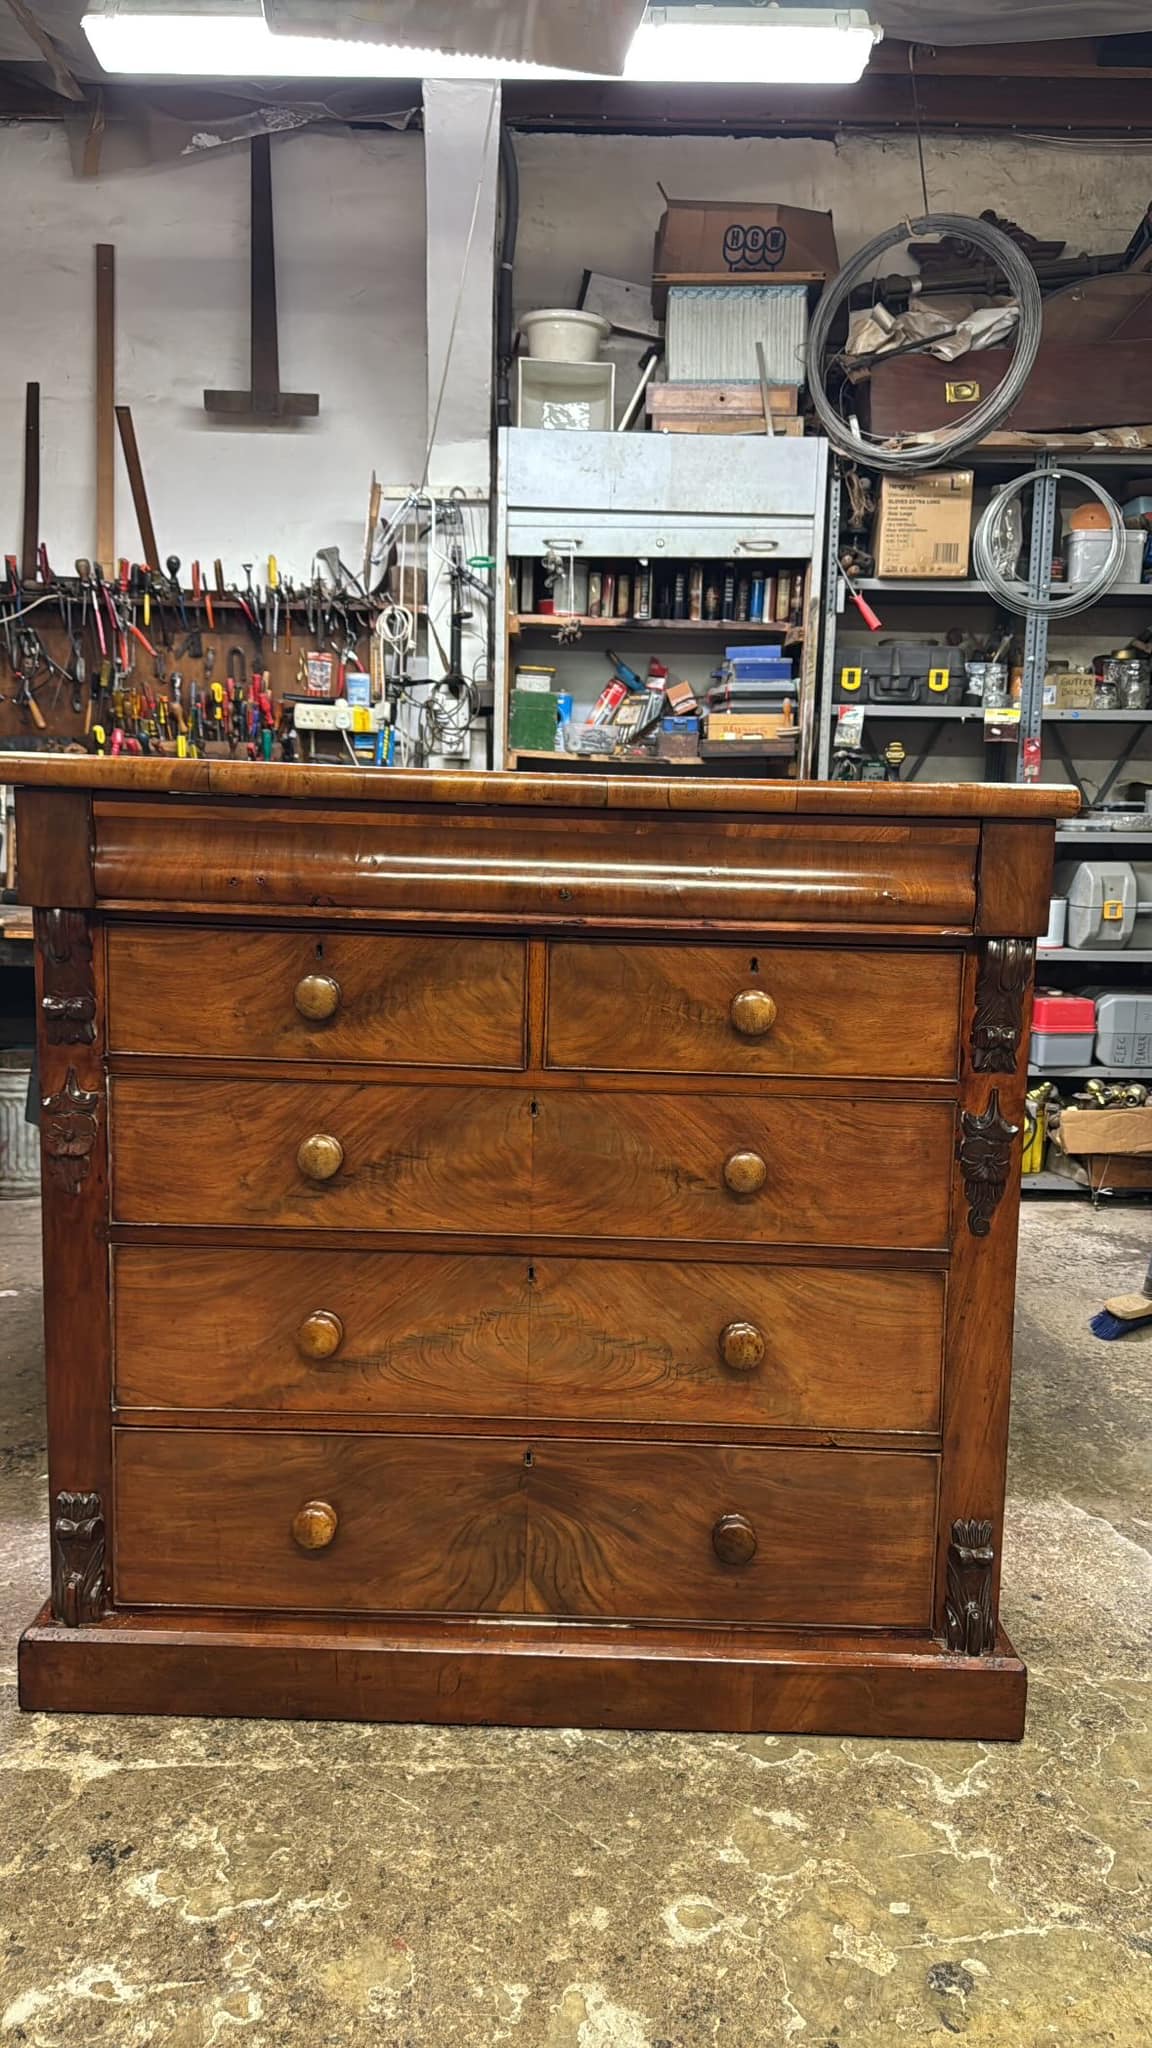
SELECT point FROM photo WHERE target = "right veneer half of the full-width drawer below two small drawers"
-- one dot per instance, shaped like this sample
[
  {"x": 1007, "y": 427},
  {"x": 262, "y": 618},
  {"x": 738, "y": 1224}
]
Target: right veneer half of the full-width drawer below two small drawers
[{"x": 655, "y": 1166}]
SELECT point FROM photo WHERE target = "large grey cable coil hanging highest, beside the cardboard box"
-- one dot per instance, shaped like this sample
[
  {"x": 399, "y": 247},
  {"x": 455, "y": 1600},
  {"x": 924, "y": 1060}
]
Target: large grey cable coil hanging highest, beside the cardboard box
[{"x": 930, "y": 452}]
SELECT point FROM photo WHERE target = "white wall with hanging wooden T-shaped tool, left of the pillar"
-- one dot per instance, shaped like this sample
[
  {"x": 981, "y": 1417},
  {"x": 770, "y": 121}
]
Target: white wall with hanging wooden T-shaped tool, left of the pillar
[{"x": 352, "y": 310}]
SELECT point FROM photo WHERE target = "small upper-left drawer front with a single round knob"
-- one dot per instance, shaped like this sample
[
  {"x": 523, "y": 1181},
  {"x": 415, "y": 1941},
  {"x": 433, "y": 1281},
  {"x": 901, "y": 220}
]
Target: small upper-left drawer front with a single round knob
[{"x": 429, "y": 1002}]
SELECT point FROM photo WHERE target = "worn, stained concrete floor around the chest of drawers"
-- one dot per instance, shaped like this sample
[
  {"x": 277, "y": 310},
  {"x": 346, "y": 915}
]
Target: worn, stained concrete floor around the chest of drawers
[{"x": 268, "y": 1885}]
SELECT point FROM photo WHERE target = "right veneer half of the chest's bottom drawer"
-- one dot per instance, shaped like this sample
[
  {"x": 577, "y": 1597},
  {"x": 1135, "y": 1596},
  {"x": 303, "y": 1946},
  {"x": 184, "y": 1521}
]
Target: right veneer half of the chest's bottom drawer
[{"x": 841, "y": 1537}]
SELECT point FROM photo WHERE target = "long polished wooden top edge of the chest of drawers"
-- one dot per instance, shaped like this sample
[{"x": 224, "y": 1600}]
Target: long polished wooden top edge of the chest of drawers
[{"x": 544, "y": 792}]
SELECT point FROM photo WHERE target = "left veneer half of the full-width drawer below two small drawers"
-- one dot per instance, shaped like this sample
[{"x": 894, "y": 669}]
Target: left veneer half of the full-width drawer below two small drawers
[{"x": 413, "y": 1158}]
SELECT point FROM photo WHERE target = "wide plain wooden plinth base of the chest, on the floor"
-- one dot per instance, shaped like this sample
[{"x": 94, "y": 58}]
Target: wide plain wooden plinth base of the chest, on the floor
[{"x": 530, "y": 1674}]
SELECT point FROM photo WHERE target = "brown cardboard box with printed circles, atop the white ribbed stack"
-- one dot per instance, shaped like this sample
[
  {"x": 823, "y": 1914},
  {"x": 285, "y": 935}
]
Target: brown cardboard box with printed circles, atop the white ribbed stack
[{"x": 716, "y": 241}]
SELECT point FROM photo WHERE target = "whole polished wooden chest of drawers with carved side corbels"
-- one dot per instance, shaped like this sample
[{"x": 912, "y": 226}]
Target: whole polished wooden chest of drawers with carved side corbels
[{"x": 530, "y": 1250}]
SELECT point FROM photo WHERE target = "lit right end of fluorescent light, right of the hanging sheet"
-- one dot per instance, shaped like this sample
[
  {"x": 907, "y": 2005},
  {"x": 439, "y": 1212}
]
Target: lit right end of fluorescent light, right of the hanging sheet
[{"x": 753, "y": 46}]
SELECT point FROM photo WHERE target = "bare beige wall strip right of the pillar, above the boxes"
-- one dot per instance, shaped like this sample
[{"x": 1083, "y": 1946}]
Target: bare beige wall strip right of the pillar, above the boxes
[{"x": 593, "y": 202}]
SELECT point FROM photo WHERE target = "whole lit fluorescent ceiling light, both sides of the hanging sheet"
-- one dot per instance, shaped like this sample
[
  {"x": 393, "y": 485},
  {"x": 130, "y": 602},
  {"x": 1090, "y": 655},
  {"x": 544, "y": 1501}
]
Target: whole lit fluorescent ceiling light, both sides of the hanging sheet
[{"x": 762, "y": 44}]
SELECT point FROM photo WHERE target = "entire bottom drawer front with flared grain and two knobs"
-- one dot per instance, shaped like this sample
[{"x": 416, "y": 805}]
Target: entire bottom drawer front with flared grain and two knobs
[{"x": 407, "y": 1525}]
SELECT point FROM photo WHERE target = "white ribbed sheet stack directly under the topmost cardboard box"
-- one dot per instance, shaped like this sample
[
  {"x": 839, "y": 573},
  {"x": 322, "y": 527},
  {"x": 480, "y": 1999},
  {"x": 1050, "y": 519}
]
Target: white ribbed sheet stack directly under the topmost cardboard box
[{"x": 714, "y": 331}]
